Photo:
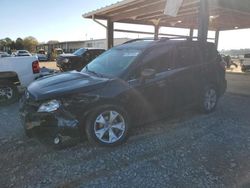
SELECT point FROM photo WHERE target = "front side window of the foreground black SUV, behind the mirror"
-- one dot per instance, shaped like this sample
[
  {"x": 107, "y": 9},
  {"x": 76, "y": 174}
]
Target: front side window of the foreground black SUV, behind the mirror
[{"x": 160, "y": 59}]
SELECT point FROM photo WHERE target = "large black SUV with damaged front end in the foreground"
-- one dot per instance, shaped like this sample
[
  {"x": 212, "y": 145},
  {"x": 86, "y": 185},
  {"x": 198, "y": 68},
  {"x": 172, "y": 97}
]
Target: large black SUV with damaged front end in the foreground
[{"x": 127, "y": 85}]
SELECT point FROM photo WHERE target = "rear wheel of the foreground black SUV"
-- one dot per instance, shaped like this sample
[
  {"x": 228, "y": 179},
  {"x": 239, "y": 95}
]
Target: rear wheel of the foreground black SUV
[{"x": 209, "y": 99}]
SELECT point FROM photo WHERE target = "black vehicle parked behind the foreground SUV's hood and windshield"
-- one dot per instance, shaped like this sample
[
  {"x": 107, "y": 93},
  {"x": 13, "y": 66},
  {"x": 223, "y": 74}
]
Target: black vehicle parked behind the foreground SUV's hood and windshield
[{"x": 78, "y": 59}]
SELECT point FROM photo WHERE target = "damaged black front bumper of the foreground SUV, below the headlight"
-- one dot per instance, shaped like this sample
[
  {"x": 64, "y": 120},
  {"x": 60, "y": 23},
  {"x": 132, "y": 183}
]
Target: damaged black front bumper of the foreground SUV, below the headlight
[{"x": 54, "y": 124}]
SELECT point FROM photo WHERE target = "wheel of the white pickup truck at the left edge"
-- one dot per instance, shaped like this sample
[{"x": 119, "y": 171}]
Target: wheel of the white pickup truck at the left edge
[{"x": 8, "y": 92}]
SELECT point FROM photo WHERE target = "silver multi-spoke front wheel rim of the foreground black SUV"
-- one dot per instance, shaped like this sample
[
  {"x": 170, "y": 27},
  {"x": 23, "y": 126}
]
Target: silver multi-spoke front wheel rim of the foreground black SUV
[{"x": 109, "y": 127}]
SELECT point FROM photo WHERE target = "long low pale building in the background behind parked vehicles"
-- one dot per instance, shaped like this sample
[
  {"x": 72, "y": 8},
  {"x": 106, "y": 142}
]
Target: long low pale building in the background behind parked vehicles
[{"x": 71, "y": 46}]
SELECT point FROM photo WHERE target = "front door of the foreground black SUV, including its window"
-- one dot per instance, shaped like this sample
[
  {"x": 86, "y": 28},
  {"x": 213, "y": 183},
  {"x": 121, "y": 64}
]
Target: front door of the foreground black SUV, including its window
[{"x": 154, "y": 95}]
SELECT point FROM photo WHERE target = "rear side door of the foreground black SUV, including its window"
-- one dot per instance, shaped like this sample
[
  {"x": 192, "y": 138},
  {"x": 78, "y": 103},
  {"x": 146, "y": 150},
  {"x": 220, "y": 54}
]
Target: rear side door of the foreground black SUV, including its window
[{"x": 184, "y": 81}]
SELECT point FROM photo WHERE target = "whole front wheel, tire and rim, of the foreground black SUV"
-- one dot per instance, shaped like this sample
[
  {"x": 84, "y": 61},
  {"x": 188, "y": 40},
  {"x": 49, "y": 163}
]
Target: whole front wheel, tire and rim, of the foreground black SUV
[{"x": 107, "y": 126}]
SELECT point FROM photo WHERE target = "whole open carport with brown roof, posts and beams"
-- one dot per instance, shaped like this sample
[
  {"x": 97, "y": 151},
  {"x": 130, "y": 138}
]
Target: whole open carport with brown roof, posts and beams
[{"x": 204, "y": 15}]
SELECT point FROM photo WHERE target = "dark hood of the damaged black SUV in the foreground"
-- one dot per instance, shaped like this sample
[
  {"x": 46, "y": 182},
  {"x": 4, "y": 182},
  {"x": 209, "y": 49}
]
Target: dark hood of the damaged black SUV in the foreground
[{"x": 63, "y": 84}]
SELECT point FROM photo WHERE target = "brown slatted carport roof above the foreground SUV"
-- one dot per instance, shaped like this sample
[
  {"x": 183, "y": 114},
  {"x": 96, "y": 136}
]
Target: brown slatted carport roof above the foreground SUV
[{"x": 224, "y": 14}]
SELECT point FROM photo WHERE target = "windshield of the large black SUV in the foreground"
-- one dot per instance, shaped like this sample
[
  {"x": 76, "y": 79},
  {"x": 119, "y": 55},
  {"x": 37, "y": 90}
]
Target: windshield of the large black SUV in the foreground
[{"x": 112, "y": 62}]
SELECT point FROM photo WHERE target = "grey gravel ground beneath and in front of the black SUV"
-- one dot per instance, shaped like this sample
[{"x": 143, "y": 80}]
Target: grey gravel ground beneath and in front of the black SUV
[{"x": 187, "y": 150}]
